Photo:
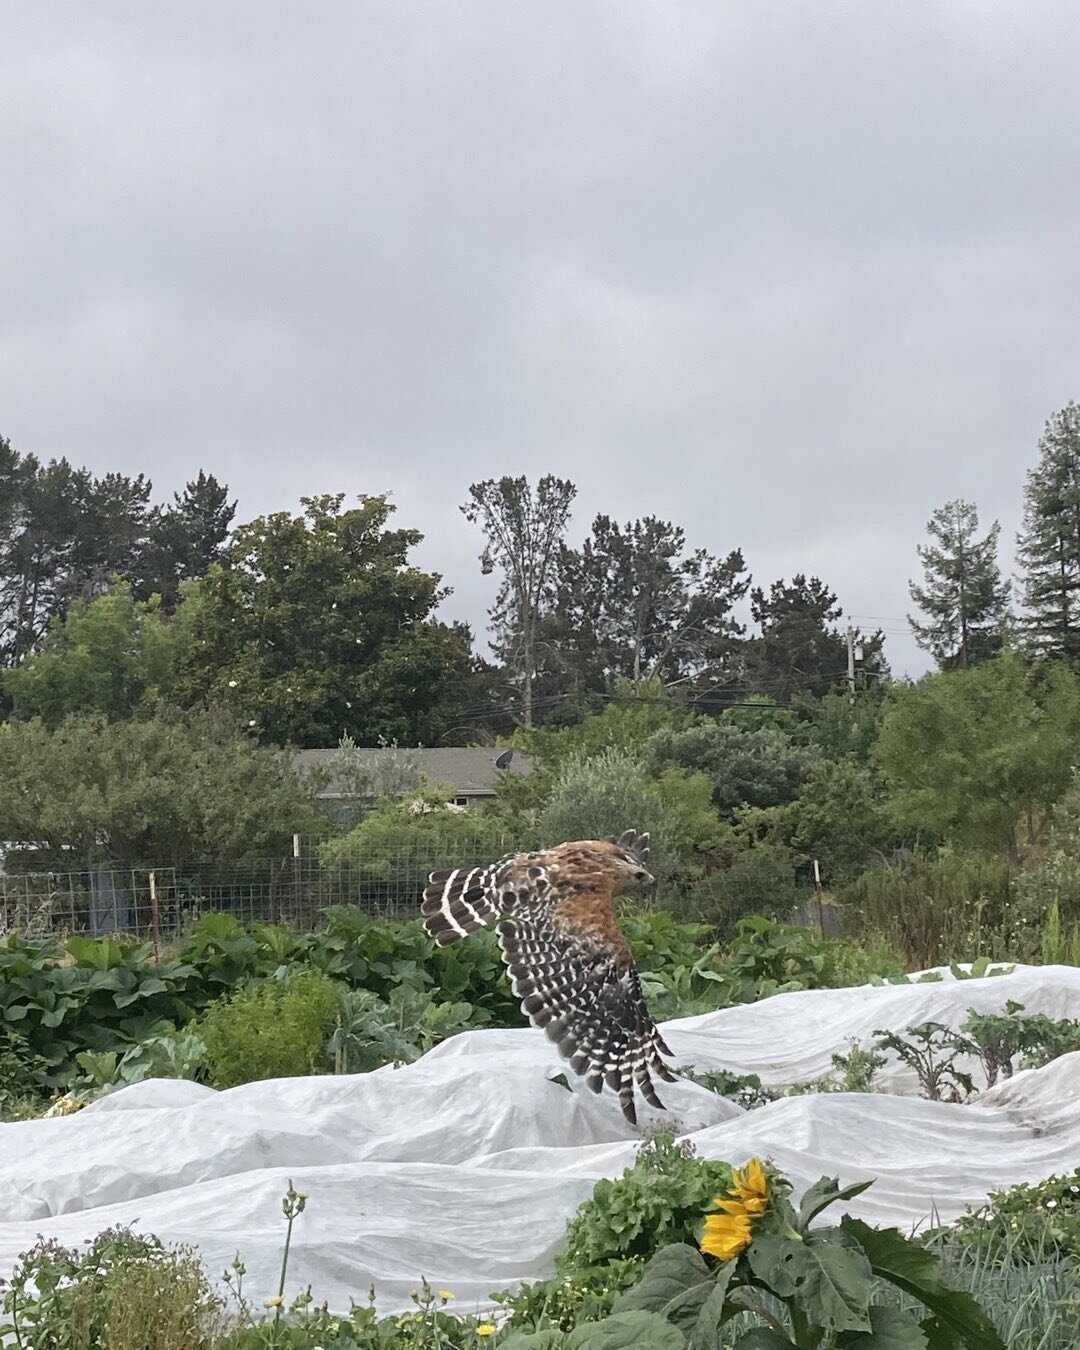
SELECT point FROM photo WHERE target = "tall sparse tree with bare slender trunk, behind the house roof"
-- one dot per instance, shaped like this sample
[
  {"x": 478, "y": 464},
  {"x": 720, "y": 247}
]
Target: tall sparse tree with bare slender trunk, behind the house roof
[{"x": 523, "y": 535}]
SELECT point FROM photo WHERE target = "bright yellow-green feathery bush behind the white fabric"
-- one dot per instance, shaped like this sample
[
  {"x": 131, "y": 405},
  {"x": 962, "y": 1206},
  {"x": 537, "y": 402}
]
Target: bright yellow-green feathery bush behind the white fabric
[{"x": 272, "y": 1029}]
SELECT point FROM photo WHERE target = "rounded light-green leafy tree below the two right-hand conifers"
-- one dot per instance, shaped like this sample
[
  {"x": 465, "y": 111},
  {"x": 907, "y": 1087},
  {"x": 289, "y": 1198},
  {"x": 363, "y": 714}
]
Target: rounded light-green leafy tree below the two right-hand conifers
[{"x": 979, "y": 757}]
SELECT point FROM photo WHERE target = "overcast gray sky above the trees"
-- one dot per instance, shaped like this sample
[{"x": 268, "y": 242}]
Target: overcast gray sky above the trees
[{"x": 790, "y": 275}]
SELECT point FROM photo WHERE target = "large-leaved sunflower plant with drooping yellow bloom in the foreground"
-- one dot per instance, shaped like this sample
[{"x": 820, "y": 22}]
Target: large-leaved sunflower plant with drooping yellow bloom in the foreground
[{"x": 811, "y": 1286}]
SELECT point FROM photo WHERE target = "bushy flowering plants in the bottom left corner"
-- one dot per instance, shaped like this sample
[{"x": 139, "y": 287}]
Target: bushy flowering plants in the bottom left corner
[{"x": 122, "y": 1293}]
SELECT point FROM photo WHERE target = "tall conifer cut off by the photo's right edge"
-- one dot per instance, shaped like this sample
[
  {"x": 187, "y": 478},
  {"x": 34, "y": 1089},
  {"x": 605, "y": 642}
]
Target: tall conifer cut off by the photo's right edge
[{"x": 1050, "y": 542}]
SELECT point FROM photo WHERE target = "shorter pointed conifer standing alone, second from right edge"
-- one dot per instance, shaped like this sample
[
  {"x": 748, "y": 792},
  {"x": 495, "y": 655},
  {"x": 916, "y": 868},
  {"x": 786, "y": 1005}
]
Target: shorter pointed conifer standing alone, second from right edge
[{"x": 963, "y": 597}]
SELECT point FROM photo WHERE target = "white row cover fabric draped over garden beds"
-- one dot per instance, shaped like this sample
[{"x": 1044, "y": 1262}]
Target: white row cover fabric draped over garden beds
[{"x": 466, "y": 1166}]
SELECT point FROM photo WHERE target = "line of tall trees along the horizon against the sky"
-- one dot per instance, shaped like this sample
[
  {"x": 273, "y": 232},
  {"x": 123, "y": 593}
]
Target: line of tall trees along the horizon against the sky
[{"x": 311, "y": 626}]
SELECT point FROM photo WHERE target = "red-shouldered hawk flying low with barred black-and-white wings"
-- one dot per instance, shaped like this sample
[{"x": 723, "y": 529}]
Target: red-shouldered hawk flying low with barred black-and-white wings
[{"x": 566, "y": 955}]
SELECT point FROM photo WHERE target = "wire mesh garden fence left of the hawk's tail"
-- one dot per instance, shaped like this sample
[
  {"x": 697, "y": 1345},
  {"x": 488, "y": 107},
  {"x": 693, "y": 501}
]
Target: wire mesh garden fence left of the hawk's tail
[{"x": 387, "y": 878}]
